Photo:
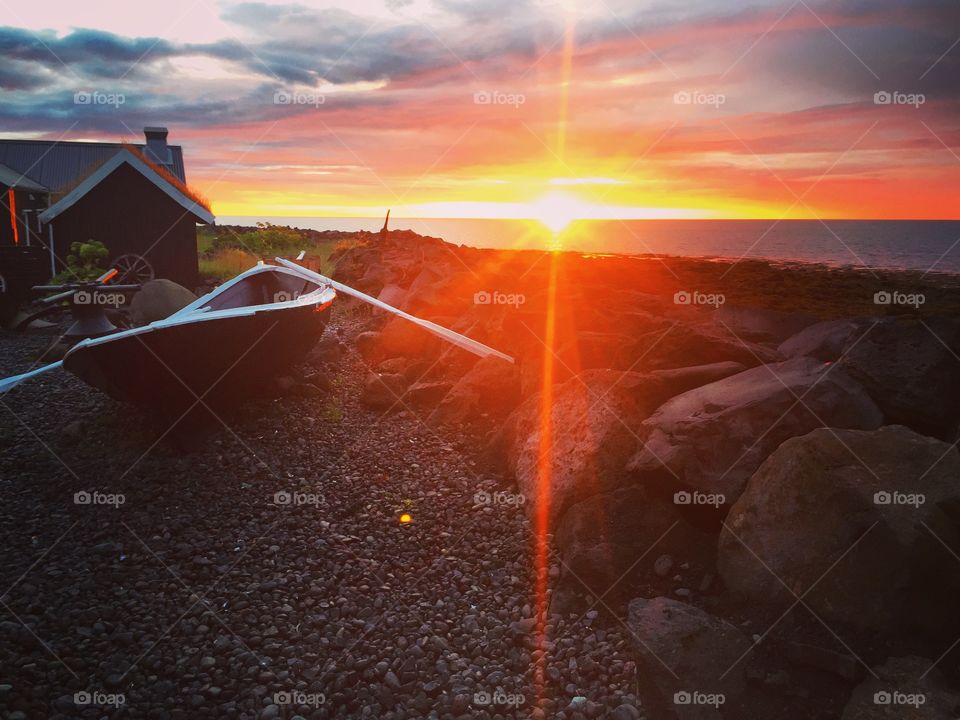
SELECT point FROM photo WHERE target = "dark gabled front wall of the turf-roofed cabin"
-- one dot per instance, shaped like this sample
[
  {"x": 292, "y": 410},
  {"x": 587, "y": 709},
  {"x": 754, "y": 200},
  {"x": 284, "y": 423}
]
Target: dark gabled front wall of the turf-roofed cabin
[{"x": 129, "y": 214}]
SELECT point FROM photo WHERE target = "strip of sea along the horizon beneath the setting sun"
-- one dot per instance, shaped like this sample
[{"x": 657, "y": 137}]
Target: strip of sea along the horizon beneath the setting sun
[{"x": 924, "y": 245}]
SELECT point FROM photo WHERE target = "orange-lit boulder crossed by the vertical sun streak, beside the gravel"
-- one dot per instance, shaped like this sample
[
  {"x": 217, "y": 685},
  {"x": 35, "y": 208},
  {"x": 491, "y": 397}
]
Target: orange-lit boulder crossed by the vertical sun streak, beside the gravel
[{"x": 591, "y": 423}]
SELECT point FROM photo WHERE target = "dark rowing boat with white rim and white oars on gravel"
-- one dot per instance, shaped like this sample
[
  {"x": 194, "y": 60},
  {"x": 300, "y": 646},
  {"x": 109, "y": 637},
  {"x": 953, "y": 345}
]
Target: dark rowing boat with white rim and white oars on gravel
[{"x": 219, "y": 348}]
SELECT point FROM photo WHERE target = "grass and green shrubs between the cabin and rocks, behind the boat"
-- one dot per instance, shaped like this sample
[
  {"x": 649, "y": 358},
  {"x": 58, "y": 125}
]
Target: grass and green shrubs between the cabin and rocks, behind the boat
[{"x": 226, "y": 251}]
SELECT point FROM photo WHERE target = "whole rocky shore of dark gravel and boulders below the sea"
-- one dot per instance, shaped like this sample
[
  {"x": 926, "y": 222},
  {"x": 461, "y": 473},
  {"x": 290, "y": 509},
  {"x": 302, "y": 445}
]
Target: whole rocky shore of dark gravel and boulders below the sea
[{"x": 743, "y": 477}]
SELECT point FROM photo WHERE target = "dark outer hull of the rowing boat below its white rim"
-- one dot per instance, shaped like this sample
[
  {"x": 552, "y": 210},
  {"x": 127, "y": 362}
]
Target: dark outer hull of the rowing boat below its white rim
[{"x": 221, "y": 361}]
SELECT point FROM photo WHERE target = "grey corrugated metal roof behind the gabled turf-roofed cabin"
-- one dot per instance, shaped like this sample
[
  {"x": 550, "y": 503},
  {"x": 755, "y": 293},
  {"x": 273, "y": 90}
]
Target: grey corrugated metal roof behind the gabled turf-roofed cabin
[{"x": 55, "y": 165}]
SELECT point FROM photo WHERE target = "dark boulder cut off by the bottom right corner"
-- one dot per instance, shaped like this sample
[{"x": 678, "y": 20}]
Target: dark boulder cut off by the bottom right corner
[{"x": 909, "y": 688}]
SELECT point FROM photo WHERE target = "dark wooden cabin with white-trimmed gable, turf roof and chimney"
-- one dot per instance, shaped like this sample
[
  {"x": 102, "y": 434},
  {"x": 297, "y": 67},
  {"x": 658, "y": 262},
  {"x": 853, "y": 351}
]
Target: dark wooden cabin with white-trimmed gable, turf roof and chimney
[{"x": 132, "y": 198}]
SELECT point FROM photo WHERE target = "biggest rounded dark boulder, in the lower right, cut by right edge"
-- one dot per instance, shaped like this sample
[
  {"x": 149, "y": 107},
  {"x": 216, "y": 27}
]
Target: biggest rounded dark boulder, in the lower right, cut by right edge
[{"x": 860, "y": 524}]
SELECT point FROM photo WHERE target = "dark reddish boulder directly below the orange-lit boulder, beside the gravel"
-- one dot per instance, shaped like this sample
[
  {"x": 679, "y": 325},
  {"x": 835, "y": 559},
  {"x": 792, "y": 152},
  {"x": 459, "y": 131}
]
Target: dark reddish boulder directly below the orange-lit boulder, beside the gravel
[{"x": 609, "y": 543}]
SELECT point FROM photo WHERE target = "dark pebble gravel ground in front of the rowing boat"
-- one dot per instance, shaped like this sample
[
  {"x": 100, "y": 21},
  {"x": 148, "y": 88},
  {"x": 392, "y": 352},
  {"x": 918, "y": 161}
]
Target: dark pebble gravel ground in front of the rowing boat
[{"x": 268, "y": 574}]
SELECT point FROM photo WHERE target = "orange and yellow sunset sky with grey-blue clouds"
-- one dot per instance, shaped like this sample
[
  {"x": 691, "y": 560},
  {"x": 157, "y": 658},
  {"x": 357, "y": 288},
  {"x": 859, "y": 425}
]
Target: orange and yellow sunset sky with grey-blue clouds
[{"x": 512, "y": 108}]
